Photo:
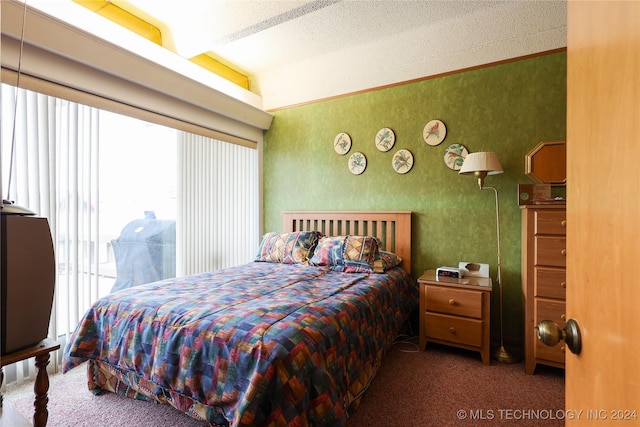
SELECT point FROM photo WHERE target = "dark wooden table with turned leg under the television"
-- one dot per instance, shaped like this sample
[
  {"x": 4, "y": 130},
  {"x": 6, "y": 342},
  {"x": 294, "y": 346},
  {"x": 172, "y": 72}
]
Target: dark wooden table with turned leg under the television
[{"x": 41, "y": 352}]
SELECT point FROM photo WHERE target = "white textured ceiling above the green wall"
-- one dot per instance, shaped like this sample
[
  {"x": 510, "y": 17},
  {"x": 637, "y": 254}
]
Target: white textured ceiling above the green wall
[{"x": 300, "y": 51}]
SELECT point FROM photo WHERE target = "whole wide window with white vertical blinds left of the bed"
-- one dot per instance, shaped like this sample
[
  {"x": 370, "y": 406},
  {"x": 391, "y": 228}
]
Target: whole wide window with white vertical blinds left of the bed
[{"x": 92, "y": 173}]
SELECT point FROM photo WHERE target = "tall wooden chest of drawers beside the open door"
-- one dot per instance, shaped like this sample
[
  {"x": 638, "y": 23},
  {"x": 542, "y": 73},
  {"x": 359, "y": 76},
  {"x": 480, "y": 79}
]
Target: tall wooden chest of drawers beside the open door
[{"x": 544, "y": 230}]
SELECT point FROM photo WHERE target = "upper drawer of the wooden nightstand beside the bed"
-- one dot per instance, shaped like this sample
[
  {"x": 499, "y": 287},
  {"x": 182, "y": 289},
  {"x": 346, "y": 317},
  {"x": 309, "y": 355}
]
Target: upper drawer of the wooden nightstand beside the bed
[{"x": 458, "y": 302}]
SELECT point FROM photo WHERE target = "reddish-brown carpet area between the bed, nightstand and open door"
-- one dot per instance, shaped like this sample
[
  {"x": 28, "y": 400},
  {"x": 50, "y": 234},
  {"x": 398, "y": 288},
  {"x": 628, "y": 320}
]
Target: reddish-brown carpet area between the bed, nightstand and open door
[{"x": 445, "y": 386}]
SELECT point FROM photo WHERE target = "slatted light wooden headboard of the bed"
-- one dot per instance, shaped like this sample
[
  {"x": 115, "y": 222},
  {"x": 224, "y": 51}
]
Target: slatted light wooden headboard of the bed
[{"x": 393, "y": 228}]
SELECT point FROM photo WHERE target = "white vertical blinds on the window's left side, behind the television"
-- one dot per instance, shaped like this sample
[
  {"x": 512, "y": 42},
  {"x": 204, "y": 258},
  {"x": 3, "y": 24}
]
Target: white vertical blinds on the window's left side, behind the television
[{"x": 49, "y": 163}]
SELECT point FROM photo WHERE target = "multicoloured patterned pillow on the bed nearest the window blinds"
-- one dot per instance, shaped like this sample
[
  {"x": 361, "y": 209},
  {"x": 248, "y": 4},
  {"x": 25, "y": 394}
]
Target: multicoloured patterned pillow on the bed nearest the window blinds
[{"x": 287, "y": 248}]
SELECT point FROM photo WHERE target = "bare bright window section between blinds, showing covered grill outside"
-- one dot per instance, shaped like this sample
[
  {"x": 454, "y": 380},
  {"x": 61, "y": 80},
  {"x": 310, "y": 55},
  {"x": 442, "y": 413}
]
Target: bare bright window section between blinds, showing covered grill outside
[{"x": 137, "y": 187}]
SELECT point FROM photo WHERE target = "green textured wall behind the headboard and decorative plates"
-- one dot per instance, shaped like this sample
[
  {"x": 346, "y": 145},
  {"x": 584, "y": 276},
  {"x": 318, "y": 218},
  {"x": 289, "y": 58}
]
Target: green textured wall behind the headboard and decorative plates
[{"x": 507, "y": 108}]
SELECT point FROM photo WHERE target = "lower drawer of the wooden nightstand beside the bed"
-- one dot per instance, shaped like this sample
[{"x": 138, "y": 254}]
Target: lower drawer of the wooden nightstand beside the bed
[{"x": 454, "y": 329}]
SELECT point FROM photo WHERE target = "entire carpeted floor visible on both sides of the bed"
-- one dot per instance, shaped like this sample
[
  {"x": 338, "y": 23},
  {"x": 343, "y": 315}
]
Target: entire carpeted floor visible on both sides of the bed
[{"x": 441, "y": 386}]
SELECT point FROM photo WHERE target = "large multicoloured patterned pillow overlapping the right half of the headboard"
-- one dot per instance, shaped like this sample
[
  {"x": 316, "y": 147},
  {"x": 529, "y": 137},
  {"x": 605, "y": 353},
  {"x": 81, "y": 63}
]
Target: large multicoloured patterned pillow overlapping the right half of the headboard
[{"x": 351, "y": 254}]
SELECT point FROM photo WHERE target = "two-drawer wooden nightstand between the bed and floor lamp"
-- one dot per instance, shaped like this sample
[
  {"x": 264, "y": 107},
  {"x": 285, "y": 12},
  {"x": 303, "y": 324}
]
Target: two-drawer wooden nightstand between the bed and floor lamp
[{"x": 455, "y": 312}]
